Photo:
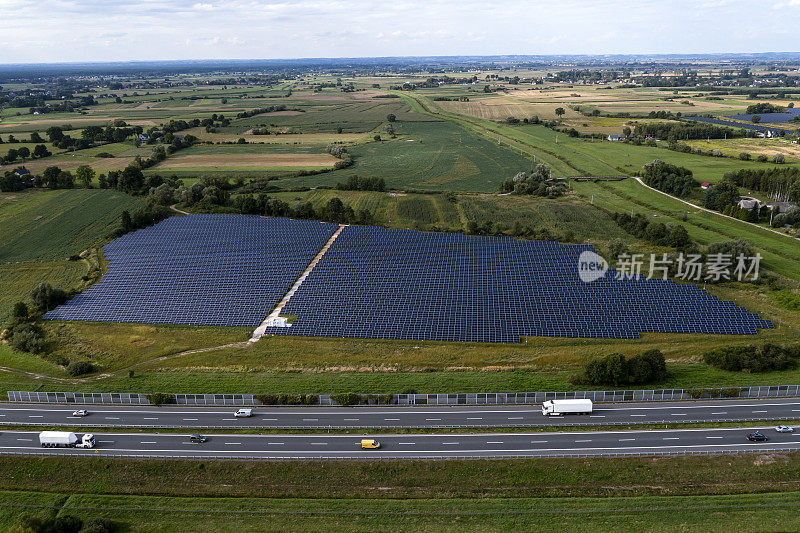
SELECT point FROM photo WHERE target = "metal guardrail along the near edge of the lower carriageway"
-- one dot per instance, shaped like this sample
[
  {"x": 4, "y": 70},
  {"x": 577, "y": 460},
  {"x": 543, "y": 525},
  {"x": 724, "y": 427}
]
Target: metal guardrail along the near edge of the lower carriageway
[{"x": 367, "y": 457}]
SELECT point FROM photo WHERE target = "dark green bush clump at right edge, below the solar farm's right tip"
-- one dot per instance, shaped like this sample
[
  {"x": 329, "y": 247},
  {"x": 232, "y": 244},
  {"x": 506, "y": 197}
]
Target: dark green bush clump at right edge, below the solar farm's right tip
[{"x": 752, "y": 358}]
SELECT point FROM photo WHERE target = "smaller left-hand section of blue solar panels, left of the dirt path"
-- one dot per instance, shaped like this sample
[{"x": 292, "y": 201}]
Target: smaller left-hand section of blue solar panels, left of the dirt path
[{"x": 215, "y": 270}]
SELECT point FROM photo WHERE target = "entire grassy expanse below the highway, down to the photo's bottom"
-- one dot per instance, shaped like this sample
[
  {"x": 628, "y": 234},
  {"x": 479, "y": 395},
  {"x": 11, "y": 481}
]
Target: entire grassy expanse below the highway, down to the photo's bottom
[{"x": 682, "y": 493}]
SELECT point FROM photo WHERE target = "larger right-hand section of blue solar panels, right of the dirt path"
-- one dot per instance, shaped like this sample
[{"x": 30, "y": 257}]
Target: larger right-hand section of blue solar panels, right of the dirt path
[{"x": 403, "y": 284}]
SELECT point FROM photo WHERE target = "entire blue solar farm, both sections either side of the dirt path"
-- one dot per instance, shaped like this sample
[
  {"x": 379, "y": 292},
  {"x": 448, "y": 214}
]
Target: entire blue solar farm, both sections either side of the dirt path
[{"x": 378, "y": 283}]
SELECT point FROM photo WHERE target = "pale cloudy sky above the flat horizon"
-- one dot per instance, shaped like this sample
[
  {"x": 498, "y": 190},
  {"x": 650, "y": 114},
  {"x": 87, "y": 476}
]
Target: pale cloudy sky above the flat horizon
[{"x": 107, "y": 30}]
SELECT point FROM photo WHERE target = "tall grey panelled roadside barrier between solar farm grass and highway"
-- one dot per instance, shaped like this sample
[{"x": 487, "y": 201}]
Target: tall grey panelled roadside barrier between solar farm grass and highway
[{"x": 471, "y": 398}]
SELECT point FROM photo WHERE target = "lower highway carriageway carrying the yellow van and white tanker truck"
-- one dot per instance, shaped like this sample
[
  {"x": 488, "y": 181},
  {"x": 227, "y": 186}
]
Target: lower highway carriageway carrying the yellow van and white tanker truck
[{"x": 485, "y": 445}]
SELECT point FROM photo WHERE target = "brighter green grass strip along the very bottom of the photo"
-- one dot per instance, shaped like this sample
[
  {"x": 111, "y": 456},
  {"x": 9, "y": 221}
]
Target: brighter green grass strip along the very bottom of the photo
[{"x": 777, "y": 511}]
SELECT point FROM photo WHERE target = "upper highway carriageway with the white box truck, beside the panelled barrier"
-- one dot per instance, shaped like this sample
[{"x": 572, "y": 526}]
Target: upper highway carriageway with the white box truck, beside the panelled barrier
[{"x": 377, "y": 417}]
